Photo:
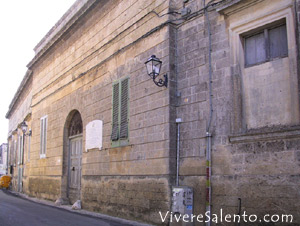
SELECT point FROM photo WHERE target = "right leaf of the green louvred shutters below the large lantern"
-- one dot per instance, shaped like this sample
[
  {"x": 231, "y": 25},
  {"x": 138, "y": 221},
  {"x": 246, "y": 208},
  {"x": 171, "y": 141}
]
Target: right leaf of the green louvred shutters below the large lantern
[{"x": 124, "y": 109}]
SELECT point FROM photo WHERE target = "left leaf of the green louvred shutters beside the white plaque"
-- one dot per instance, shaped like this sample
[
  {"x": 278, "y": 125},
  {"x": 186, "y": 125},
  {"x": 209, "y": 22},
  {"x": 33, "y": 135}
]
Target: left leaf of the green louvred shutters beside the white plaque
[{"x": 115, "y": 113}]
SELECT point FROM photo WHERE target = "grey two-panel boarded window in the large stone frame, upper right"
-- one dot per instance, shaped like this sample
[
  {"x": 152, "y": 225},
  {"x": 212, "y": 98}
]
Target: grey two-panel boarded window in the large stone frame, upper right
[{"x": 266, "y": 44}]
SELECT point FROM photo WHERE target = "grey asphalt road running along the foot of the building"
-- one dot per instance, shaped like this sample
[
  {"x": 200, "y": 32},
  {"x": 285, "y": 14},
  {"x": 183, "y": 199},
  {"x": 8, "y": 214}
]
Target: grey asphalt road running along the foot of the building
[{"x": 15, "y": 211}]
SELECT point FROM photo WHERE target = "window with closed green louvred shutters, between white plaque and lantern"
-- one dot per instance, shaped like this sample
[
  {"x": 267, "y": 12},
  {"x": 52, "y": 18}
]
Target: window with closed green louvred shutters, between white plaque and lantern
[{"x": 120, "y": 110}]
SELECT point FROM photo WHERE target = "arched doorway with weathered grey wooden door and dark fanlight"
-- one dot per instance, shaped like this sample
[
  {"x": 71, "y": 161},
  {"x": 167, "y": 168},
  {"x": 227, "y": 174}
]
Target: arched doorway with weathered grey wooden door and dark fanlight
[{"x": 71, "y": 180}]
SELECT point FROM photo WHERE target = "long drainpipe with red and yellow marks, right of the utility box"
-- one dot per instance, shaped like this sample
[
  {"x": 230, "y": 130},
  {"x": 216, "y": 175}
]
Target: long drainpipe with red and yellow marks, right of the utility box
[{"x": 208, "y": 133}]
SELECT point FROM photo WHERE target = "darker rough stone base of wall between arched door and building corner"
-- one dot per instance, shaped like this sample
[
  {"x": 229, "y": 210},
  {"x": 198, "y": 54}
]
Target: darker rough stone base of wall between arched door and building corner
[{"x": 138, "y": 198}]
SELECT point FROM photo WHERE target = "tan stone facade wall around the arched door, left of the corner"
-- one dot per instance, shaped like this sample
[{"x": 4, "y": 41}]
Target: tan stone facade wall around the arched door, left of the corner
[{"x": 77, "y": 74}]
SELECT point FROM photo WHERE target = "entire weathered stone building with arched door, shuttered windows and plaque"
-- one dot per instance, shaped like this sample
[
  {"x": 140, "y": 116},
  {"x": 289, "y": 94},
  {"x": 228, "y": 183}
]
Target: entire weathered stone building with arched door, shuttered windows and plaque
[{"x": 105, "y": 134}]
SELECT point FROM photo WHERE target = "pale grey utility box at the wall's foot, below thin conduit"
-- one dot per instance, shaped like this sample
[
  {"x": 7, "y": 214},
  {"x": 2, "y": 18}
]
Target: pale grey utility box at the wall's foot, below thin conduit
[{"x": 182, "y": 204}]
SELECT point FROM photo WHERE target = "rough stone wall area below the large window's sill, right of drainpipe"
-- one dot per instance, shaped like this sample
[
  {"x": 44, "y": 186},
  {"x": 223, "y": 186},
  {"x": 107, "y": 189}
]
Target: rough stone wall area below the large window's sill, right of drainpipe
[{"x": 264, "y": 174}]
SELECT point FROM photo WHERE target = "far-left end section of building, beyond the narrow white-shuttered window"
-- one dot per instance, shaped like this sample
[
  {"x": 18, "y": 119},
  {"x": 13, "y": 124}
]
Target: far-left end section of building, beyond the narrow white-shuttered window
[{"x": 19, "y": 144}]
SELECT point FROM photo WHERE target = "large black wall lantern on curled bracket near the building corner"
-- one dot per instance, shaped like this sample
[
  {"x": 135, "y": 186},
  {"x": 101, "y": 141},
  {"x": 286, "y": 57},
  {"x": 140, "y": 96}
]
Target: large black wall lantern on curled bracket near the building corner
[{"x": 153, "y": 65}]
